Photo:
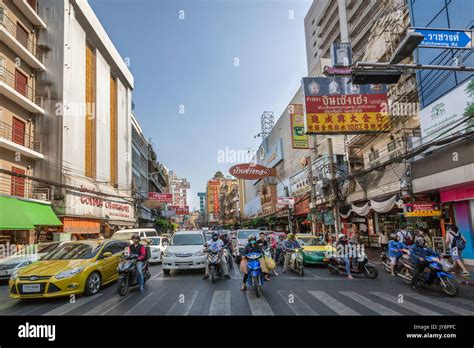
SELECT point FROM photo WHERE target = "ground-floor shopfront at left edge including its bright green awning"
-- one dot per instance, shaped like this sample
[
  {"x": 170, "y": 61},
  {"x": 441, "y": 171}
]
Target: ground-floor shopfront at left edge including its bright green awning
[{"x": 25, "y": 221}]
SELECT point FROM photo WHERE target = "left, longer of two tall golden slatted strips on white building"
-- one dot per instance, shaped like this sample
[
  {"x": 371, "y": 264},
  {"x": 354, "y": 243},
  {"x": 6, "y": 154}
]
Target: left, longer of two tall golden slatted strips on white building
[{"x": 90, "y": 150}]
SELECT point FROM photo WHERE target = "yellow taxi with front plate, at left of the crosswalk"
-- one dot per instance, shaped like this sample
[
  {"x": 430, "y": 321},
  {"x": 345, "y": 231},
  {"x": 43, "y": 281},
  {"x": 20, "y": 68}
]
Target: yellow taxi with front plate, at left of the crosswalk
[{"x": 79, "y": 267}]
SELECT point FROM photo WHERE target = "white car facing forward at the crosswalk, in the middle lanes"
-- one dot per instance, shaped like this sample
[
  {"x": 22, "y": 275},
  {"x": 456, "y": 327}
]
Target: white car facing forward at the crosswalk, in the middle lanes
[{"x": 185, "y": 251}]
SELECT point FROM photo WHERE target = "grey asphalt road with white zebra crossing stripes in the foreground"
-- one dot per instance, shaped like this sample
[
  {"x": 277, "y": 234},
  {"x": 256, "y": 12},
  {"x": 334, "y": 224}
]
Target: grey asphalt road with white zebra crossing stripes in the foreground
[{"x": 317, "y": 293}]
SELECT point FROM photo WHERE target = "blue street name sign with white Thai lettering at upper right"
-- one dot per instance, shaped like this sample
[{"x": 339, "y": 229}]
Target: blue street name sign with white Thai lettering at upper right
[{"x": 446, "y": 38}]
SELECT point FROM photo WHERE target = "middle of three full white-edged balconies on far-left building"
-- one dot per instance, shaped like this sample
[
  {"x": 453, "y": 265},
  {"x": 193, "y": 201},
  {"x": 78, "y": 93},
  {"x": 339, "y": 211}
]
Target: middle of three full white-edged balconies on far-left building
[{"x": 20, "y": 93}]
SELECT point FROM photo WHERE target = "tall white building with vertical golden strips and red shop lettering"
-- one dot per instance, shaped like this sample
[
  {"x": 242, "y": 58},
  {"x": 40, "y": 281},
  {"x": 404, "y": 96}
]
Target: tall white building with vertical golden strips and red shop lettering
[{"x": 86, "y": 131}]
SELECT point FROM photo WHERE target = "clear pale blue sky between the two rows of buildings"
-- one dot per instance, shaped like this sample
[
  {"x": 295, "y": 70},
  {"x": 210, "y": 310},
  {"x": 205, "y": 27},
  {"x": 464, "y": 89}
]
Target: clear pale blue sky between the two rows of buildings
[{"x": 205, "y": 71}]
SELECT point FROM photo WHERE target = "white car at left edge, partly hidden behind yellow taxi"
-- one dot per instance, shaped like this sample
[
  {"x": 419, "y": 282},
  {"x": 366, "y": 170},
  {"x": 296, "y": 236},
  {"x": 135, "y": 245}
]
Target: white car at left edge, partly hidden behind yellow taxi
[{"x": 24, "y": 257}]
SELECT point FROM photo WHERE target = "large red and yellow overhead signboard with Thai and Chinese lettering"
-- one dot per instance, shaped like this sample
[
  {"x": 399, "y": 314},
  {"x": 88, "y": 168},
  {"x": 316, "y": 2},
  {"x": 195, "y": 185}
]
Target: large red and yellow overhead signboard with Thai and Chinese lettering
[{"x": 335, "y": 106}]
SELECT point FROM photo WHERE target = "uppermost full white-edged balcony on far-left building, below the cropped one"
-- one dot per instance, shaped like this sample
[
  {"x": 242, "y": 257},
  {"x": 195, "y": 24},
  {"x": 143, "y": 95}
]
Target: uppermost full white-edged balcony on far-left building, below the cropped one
[{"x": 17, "y": 39}]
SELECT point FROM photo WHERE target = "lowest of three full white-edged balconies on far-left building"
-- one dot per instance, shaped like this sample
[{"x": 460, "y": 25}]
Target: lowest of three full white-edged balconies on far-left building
[{"x": 19, "y": 141}]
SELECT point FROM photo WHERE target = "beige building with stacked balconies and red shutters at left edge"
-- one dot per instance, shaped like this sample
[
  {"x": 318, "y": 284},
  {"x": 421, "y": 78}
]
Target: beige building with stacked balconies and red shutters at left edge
[{"x": 21, "y": 109}]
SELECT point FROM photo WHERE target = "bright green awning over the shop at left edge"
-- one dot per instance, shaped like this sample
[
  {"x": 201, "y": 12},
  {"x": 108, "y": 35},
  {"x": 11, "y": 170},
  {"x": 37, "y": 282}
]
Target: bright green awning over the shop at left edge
[{"x": 17, "y": 214}]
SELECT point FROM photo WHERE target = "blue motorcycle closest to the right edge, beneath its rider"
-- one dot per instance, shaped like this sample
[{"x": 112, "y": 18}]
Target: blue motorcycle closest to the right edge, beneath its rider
[{"x": 445, "y": 279}]
